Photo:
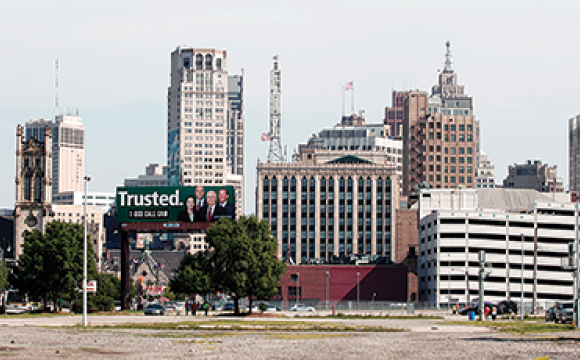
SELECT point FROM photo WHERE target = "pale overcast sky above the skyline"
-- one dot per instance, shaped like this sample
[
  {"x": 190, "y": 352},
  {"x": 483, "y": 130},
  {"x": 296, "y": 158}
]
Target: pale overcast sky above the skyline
[{"x": 518, "y": 59}]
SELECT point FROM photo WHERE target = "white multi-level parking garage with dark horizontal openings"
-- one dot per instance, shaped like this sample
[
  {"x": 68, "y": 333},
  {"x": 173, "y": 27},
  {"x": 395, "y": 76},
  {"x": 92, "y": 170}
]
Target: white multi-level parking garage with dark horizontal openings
[{"x": 456, "y": 224}]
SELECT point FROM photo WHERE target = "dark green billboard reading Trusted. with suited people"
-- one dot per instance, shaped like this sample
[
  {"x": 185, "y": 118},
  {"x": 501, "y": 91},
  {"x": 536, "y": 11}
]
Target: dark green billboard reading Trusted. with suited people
[{"x": 182, "y": 204}]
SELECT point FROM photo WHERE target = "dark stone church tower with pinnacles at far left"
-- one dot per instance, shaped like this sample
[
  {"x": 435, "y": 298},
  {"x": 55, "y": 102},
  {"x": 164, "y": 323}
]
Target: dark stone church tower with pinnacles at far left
[{"x": 33, "y": 209}]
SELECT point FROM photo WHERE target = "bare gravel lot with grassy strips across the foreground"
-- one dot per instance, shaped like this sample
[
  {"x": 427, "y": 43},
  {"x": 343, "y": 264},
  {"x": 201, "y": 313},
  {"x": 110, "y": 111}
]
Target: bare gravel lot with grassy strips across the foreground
[{"x": 427, "y": 339}]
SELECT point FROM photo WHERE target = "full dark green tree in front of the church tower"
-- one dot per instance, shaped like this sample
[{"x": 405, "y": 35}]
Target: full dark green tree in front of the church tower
[{"x": 51, "y": 264}]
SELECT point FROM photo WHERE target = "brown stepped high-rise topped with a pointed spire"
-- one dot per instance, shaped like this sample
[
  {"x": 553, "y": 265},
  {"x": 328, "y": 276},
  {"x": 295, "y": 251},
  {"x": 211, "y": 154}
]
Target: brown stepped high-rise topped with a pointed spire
[{"x": 440, "y": 135}]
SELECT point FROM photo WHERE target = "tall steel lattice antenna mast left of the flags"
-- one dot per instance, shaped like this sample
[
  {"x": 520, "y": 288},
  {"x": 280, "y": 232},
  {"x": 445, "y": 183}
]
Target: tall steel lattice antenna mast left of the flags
[{"x": 275, "y": 154}]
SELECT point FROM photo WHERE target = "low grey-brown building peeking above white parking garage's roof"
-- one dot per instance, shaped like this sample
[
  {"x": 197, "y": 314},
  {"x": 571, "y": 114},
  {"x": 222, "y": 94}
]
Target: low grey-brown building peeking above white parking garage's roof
[{"x": 534, "y": 175}]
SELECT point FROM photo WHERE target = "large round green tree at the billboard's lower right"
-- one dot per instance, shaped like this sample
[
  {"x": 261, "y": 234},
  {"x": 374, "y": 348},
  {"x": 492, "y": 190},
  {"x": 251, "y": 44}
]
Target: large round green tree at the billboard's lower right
[{"x": 243, "y": 258}]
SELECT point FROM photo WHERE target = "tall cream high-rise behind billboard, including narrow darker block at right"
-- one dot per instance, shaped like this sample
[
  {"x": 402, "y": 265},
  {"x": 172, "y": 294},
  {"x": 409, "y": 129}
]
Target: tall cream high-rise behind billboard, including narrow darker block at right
[{"x": 202, "y": 131}]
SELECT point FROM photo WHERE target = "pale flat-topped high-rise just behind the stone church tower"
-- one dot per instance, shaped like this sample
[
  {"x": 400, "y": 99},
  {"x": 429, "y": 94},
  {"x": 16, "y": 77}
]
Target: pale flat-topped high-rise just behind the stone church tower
[{"x": 68, "y": 150}]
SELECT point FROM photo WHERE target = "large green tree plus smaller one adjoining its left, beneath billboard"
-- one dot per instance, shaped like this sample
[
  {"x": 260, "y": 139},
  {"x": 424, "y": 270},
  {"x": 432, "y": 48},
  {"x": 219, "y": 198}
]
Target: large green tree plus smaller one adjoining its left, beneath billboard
[{"x": 241, "y": 259}]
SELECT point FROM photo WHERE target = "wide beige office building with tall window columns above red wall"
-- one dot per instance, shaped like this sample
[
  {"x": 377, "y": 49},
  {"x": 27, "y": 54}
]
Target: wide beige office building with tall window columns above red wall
[{"x": 329, "y": 204}]
